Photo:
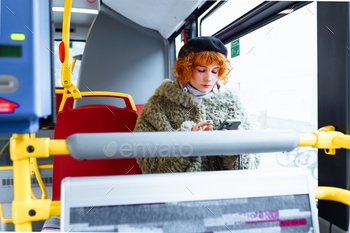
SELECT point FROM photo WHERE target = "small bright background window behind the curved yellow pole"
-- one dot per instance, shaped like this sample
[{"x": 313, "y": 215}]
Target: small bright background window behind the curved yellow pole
[{"x": 76, "y": 48}]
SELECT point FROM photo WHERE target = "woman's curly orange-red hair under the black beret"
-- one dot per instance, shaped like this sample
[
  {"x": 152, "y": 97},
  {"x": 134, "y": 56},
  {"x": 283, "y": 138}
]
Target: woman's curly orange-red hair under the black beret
[{"x": 184, "y": 66}]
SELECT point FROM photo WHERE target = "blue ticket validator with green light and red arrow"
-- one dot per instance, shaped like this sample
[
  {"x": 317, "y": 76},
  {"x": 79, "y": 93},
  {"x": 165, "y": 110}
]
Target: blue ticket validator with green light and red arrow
[{"x": 25, "y": 65}]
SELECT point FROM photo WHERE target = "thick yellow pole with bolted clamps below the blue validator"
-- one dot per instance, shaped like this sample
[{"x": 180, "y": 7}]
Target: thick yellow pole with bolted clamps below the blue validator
[{"x": 24, "y": 209}]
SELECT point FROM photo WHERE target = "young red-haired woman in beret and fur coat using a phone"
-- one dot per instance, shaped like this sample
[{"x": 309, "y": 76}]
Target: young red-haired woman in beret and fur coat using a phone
[{"x": 196, "y": 101}]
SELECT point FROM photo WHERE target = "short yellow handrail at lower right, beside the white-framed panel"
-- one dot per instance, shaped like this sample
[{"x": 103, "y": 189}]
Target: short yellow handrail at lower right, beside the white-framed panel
[{"x": 333, "y": 194}]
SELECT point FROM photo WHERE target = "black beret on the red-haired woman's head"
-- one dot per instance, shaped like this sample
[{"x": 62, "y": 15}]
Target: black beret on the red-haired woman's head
[{"x": 200, "y": 44}]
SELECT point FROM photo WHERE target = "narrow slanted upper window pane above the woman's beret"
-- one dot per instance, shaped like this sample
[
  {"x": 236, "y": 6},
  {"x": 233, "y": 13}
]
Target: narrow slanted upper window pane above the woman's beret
[{"x": 227, "y": 13}]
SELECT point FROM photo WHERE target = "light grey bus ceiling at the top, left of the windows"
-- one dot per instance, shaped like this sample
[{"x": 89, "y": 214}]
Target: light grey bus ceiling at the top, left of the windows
[{"x": 162, "y": 16}]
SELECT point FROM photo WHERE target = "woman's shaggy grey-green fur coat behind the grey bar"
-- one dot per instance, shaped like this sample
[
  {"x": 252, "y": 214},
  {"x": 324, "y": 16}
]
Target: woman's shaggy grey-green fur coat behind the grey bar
[{"x": 170, "y": 108}]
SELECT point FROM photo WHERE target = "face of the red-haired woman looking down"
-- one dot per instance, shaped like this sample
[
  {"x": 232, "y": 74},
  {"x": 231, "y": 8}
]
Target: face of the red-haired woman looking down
[{"x": 204, "y": 77}]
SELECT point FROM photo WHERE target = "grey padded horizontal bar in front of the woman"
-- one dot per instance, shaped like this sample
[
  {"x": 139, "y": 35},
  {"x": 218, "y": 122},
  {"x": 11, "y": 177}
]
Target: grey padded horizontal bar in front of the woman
[{"x": 177, "y": 144}]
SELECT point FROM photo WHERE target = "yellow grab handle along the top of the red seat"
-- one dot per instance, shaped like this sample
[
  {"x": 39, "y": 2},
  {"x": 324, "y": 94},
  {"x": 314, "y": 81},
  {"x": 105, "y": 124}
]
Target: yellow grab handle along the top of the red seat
[{"x": 129, "y": 102}]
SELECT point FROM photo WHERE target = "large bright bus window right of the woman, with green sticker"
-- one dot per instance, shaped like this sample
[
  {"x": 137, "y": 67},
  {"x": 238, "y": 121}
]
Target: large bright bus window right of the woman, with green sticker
[{"x": 275, "y": 71}]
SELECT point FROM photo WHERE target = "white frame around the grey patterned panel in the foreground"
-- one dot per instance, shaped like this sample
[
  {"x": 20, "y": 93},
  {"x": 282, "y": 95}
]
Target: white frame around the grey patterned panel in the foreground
[{"x": 187, "y": 186}]
